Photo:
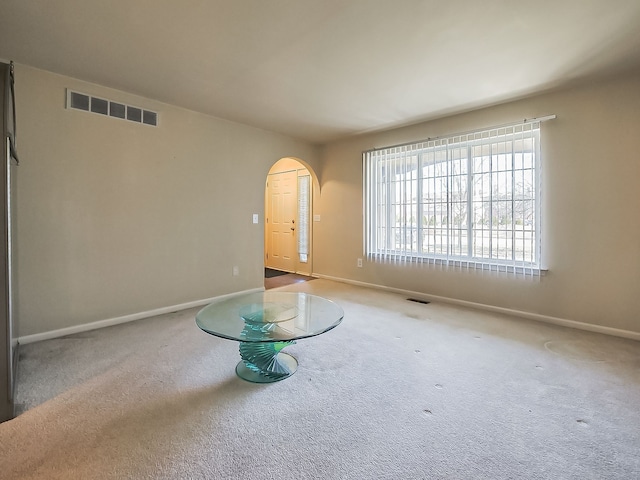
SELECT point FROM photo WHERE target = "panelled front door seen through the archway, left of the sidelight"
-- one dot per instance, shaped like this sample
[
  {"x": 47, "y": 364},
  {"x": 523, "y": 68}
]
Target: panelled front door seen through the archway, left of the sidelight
[{"x": 280, "y": 223}]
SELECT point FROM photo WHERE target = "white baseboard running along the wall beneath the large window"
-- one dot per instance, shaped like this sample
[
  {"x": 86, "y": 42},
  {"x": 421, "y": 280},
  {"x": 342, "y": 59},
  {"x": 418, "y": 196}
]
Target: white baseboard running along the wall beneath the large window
[{"x": 616, "y": 332}]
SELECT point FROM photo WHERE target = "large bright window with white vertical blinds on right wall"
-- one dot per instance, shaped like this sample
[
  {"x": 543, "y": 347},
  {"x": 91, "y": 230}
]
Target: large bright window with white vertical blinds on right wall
[{"x": 470, "y": 200}]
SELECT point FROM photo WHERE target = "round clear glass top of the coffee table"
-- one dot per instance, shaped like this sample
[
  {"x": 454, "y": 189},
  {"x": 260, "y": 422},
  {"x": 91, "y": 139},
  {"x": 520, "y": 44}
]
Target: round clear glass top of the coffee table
[{"x": 270, "y": 316}]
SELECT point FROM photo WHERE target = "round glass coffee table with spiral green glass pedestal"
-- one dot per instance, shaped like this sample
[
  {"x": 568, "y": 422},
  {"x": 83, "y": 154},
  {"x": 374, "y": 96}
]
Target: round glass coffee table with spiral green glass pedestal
[{"x": 266, "y": 322}]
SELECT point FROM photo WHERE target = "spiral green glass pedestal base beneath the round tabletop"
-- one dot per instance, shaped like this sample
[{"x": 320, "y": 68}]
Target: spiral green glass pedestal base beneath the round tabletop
[{"x": 263, "y": 362}]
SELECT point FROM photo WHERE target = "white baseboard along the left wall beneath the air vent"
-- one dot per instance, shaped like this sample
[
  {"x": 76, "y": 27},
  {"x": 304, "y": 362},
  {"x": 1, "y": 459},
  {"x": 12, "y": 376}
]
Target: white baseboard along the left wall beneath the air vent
[{"x": 85, "y": 327}]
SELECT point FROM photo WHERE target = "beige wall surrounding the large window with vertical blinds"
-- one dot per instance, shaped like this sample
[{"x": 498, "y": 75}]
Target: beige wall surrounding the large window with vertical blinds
[{"x": 591, "y": 209}]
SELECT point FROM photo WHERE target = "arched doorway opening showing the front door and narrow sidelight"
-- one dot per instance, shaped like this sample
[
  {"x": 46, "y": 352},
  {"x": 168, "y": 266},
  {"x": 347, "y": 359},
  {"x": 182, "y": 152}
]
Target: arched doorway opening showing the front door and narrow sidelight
[{"x": 289, "y": 192}]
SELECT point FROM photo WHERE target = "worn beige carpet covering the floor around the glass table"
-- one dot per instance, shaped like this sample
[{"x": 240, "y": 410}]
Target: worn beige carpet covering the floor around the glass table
[{"x": 399, "y": 390}]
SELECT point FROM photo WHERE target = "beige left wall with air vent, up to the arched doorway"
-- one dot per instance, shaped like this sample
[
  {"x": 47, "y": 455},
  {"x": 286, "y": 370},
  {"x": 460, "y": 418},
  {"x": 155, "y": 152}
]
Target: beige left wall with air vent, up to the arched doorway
[{"x": 117, "y": 218}]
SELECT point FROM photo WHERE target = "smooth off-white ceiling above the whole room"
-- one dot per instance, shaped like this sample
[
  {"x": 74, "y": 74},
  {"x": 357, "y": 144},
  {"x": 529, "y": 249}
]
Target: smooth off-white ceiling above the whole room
[{"x": 320, "y": 70}]
